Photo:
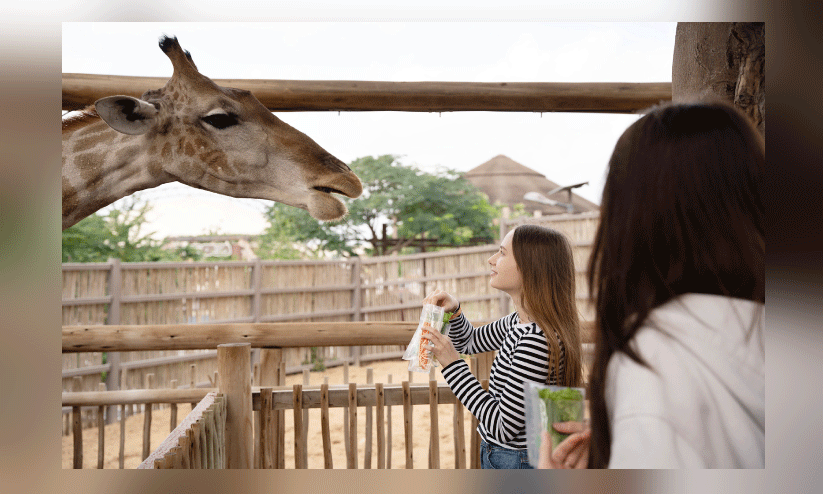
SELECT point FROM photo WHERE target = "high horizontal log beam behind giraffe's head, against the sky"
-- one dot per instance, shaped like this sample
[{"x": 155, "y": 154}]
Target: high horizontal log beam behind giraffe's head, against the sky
[{"x": 81, "y": 90}]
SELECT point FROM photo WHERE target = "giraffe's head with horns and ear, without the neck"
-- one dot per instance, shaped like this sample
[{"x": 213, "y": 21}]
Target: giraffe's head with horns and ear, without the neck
[{"x": 225, "y": 141}]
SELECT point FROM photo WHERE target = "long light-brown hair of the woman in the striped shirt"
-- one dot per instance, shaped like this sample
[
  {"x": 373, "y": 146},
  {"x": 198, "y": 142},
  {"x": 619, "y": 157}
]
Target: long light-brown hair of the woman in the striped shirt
[{"x": 544, "y": 259}]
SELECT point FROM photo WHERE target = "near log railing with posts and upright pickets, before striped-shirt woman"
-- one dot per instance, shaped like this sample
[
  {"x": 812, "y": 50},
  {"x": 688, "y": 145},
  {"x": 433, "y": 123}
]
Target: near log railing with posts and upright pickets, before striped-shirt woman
[{"x": 272, "y": 338}]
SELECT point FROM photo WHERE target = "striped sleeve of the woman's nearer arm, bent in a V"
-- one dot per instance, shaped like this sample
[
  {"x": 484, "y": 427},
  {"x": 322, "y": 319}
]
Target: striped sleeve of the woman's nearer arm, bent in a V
[{"x": 504, "y": 418}]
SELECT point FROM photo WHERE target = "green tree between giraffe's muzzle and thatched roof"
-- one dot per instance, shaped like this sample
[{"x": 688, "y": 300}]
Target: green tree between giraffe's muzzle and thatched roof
[{"x": 440, "y": 205}]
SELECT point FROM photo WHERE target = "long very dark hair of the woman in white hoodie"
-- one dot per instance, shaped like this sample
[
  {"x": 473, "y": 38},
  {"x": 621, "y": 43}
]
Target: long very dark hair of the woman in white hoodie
[{"x": 682, "y": 212}]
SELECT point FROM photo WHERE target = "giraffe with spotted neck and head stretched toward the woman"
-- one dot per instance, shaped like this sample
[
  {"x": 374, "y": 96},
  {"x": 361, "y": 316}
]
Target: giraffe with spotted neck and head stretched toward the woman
[{"x": 203, "y": 135}]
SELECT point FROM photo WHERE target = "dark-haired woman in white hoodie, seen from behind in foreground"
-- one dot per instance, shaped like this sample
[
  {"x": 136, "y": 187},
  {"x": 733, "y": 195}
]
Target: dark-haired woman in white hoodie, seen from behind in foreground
[{"x": 677, "y": 272}]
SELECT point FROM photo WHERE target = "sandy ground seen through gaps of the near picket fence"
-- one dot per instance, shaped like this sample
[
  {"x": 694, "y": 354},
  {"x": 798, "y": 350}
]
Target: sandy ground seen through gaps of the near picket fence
[{"x": 397, "y": 368}]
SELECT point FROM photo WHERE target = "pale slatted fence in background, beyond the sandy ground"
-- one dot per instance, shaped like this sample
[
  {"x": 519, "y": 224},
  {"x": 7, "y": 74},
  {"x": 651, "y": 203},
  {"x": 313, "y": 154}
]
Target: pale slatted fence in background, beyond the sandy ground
[{"x": 389, "y": 288}]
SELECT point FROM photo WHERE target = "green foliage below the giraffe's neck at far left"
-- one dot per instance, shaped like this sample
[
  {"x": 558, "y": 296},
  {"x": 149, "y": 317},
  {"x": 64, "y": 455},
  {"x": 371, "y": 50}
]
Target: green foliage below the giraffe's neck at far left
[{"x": 117, "y": 234}]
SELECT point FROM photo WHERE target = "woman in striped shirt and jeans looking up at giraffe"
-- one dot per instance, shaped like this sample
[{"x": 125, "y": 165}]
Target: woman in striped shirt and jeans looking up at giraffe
[{"x": 538, "y": 342}]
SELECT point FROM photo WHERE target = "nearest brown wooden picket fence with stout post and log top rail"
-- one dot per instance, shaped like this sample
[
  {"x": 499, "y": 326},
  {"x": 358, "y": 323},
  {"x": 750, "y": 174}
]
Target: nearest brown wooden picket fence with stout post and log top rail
[{"x": 269, "y": 403}]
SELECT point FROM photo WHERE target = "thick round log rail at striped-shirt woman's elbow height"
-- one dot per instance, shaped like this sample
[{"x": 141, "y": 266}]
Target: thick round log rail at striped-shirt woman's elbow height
[{"x": 127, "y": 338}]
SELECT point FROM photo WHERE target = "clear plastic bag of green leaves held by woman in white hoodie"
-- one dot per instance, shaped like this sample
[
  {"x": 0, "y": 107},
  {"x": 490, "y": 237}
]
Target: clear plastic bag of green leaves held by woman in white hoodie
[{"x": 546, "y": 405}]
